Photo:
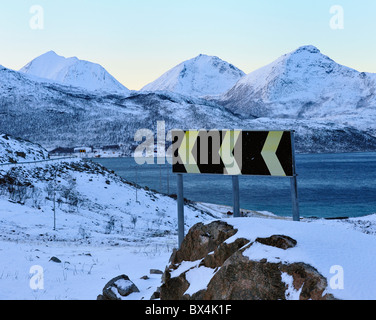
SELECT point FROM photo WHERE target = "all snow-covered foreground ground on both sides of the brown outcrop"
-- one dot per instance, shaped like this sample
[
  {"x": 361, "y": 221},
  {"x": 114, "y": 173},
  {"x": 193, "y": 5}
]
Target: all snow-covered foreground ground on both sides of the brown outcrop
[{"x": 103, "y": 231}]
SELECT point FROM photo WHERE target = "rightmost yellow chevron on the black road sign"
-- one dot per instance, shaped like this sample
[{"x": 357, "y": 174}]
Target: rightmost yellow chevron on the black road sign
[{"x": 269, "y": 153}]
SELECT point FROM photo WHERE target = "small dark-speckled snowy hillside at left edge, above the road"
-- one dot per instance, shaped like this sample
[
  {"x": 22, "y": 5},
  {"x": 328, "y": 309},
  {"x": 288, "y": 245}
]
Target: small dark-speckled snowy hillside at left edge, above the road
[{"x": 14, "y": 150}]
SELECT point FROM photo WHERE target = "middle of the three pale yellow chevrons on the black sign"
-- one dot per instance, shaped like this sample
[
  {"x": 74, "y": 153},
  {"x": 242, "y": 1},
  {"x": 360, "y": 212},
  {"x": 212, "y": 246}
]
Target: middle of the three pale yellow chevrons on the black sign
[{"x": 228, "y": 145}]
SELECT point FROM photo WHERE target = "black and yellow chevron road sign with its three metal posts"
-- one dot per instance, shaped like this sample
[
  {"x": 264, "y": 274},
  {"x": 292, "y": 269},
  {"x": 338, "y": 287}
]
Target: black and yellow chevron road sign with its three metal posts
[{"x": 234, "y": 153}]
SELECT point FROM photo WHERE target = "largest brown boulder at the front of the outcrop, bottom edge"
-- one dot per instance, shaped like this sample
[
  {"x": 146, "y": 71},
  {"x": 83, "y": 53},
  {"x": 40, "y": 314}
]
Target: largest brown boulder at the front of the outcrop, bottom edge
[{"x": 243, "y": 279}]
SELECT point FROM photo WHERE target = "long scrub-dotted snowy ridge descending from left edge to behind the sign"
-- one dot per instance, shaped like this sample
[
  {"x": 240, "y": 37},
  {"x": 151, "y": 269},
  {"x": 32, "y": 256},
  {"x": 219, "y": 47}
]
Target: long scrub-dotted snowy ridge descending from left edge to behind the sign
[{"x": 56, "y": 115}]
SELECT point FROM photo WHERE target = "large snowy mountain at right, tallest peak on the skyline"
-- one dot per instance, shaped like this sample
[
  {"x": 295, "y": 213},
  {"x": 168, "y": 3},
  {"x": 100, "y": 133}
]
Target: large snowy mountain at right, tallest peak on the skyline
[{"x": 304, "y": 84}]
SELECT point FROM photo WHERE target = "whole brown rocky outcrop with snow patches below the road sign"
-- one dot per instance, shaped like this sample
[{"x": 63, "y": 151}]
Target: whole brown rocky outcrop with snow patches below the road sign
[{"x": 235, "y": 276}]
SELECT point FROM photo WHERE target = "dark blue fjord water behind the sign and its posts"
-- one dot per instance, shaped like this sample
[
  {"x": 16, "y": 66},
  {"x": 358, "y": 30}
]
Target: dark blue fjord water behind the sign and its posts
[{"x": 329, "y": 185}]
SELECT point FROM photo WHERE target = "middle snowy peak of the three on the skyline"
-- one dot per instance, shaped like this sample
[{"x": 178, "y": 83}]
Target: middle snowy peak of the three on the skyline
[{"x": 201, "y": 76}]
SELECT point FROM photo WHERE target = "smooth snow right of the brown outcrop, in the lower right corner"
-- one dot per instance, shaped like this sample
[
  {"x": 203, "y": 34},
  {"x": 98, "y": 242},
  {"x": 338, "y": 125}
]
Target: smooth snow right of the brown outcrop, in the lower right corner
[{"x": 344, "y": 256}]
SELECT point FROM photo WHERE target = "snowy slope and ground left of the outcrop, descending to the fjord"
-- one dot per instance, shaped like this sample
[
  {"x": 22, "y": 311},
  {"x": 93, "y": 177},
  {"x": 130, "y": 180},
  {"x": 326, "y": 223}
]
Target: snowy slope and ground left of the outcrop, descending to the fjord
[{"x": 104, "y": 227}]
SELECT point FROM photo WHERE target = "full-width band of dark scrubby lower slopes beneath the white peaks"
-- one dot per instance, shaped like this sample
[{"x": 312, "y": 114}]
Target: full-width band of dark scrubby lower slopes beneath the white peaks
[{"x": 55, "y": 115}]
